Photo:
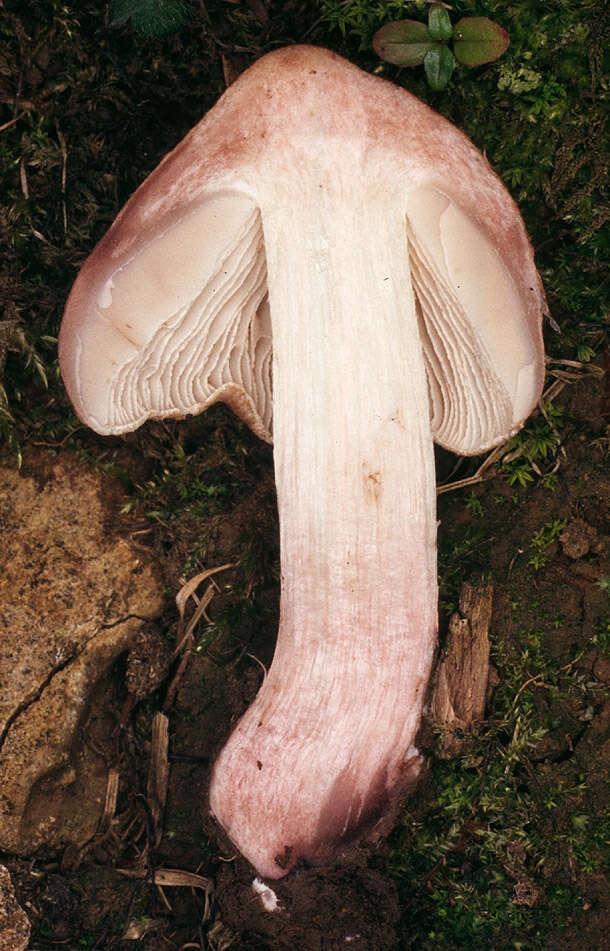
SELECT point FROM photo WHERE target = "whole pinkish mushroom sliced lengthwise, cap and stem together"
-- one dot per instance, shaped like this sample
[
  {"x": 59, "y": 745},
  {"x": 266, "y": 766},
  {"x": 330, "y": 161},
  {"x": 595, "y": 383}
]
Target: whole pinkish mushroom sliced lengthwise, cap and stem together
[{"x": 325, "y": 249}]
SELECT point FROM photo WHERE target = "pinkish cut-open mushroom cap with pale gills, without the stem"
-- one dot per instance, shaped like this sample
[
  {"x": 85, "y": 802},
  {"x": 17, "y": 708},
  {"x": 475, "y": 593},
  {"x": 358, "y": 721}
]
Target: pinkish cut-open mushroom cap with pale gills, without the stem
[{"x": 170, "y": 312}]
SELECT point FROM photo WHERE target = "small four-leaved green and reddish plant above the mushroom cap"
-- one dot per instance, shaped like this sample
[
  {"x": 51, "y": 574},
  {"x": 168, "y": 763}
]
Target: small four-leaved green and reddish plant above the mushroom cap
[{"x": 476, "y": 40}]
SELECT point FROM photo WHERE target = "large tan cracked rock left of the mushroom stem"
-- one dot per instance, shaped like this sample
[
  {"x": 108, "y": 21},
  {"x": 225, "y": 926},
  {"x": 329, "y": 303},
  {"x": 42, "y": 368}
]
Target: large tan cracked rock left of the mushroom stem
[{"x": 73, "y": 594}]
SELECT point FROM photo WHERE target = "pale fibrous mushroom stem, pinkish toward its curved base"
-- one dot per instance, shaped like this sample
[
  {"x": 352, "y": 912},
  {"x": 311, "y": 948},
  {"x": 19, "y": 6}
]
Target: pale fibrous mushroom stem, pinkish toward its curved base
[{"x": 328, "y": 744}]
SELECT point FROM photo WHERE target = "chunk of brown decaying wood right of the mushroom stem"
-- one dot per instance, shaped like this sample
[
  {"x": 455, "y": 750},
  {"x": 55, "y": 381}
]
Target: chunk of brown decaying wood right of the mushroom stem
[{"x": 462, "y": 674}]
